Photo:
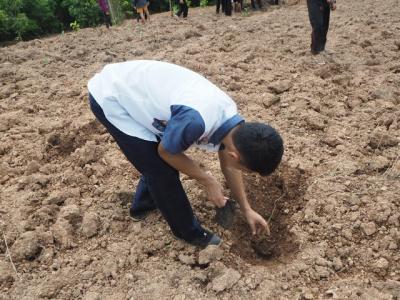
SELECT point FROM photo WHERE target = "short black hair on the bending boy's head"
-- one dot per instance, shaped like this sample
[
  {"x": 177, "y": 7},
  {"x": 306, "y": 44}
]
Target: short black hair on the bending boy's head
[{"x": 260, "y": 147}]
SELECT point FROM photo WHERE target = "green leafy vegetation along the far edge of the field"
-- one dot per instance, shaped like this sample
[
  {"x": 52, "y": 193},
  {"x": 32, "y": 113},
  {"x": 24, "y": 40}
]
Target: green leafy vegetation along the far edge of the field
[{"x": 27, "y": 19}]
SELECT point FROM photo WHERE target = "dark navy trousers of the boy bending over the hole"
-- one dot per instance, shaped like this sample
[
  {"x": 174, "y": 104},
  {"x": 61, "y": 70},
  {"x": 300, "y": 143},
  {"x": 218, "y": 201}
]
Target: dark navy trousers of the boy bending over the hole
[{"x": 159, "y": 182}]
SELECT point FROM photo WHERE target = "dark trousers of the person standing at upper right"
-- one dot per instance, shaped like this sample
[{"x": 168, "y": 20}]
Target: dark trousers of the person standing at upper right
[{"x": 319, "y": 13}]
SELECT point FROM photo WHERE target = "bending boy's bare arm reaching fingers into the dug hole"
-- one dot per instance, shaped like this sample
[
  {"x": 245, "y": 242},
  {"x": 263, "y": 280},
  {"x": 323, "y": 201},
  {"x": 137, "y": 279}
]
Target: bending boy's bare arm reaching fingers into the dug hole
[{"x": 235, "y": 182}]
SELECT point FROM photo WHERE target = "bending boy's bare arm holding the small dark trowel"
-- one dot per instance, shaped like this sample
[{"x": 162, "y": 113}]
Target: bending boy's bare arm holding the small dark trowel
[{"x": 184, "y": 164}]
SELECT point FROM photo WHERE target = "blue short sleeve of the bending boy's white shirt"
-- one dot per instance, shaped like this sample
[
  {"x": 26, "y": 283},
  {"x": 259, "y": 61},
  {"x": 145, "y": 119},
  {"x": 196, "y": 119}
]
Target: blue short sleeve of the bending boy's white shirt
[{"x": 184, "y": 128}]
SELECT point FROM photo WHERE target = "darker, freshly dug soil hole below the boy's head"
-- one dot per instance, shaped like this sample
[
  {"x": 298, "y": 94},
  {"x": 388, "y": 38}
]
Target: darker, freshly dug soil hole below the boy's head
[{"x": 276, "y": 198}]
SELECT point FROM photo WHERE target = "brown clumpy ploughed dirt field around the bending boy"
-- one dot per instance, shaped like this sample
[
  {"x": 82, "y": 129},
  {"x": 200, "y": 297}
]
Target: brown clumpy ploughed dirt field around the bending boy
[{"x": 333, "y": 206}]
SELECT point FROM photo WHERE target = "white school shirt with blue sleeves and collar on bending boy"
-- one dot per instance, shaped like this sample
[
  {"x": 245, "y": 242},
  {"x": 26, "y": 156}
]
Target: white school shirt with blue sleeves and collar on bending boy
[{"x": 160, "y": 101}]
